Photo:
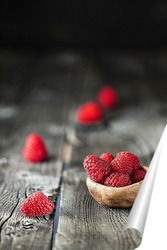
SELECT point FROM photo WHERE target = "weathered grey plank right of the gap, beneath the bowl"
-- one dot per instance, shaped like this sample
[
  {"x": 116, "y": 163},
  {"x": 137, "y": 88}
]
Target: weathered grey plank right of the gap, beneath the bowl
[{"x": 136, "y": 126}]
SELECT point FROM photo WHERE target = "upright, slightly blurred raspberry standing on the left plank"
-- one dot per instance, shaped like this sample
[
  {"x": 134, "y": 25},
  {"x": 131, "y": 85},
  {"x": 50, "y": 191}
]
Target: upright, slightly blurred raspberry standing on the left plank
[{"x": 34, "y": 149}]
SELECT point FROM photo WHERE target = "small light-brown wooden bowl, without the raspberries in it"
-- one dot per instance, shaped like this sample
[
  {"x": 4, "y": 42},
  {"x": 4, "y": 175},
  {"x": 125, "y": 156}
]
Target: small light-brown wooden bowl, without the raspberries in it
[{"x": 121, "y": 197}]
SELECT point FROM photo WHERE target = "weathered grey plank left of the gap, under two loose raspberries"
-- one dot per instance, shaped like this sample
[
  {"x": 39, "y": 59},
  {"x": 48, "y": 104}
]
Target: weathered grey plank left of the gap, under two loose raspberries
[{"x": 41, "y": 108}]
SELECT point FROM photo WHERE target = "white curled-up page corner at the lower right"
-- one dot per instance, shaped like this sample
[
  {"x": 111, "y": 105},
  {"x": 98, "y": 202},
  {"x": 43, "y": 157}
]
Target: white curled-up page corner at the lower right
[{"x": 148, "y": 214}]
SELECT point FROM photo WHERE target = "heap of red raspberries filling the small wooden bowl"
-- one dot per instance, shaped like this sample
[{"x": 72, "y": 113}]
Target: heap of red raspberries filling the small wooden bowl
[{"x": 122, "y": 170}]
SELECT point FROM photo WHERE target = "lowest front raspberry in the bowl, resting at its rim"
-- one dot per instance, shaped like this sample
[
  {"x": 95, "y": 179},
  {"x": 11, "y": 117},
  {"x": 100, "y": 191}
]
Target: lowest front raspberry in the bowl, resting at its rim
[{"x": 117, "y": 179}]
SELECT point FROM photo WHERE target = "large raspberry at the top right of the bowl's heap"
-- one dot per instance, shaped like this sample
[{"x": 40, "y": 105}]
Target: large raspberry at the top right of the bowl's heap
[{"x": 125, "y": 162}]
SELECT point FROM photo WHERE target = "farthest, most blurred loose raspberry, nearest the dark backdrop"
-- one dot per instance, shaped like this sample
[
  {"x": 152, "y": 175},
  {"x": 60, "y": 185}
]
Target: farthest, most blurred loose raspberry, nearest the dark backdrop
[{"x": 107, "y": 97}]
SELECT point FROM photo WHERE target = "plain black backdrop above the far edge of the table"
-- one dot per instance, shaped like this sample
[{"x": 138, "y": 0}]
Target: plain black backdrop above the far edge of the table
[{"x": 114, "y": 24}]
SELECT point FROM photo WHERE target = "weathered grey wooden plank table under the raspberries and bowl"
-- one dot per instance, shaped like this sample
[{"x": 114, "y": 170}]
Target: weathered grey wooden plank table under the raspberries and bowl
[{"x": 40, "y": 92}]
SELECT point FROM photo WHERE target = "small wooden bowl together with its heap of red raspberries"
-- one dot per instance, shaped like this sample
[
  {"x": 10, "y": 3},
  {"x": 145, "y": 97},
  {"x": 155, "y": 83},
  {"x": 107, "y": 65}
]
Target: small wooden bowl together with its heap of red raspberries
[{"x": 114, "y": 181}]
